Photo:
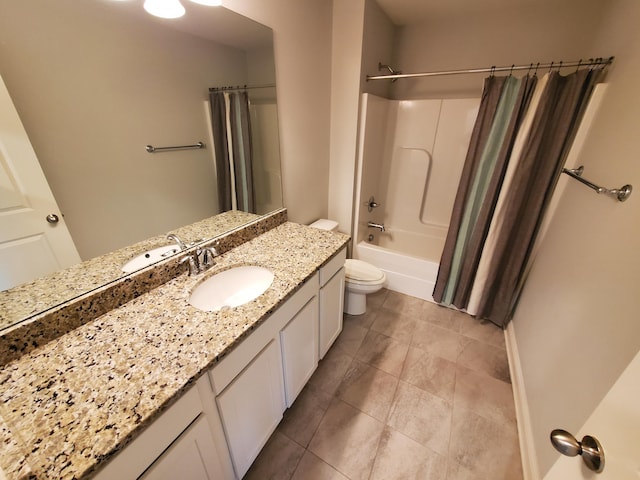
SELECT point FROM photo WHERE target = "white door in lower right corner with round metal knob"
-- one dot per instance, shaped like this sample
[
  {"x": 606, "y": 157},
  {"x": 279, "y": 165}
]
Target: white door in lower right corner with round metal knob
[{"x": 616, "y": 425}]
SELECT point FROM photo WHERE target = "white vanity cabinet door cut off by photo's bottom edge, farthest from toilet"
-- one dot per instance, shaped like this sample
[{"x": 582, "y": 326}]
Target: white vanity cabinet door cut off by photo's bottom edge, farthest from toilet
[{"x": 192, "y": 456}]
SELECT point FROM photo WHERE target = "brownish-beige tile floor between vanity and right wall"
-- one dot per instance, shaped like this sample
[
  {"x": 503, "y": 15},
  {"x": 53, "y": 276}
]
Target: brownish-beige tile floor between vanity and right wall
[{"x": 410, "y": 390}]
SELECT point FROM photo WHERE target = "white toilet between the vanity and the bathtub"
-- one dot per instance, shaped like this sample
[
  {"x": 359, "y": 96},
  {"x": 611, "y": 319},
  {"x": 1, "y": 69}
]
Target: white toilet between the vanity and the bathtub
[{"x": 361, "y": 278}]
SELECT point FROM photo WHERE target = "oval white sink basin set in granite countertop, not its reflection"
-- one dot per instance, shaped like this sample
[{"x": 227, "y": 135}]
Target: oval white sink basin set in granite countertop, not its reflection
[{"x": 231, "y": 288}]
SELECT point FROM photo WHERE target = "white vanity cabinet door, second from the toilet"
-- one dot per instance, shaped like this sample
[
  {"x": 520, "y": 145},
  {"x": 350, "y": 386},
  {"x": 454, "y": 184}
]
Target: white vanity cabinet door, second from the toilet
[{"x": 299, "y": 339}]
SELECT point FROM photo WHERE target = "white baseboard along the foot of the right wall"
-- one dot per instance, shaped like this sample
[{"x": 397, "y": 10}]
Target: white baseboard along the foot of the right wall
[{"x": 525, "y": 433}]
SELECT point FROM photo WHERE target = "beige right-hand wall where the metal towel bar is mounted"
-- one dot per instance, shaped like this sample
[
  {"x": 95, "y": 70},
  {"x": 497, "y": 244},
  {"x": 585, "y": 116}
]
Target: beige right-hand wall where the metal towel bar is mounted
[{"x": 577, "y": 323}]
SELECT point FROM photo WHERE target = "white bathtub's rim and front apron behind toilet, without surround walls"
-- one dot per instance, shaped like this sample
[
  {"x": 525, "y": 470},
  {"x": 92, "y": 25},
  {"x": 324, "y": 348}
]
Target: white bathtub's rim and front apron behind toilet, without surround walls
[{"x": 405, "y": 273}]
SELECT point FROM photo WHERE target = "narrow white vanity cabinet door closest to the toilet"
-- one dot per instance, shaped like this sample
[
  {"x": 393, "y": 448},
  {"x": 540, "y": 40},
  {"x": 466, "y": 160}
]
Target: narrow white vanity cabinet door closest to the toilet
[{"x": 331, "y": 310}]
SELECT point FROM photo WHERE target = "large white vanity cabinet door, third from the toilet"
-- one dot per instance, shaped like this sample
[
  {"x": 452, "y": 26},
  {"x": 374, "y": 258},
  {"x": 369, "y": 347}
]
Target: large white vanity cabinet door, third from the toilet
[{"x": 252, "y": 406}]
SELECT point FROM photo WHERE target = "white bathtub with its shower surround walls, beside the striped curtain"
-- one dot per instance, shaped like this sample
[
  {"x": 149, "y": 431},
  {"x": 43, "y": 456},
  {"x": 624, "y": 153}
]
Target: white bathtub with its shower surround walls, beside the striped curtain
[{"x": 411, "y": 153}]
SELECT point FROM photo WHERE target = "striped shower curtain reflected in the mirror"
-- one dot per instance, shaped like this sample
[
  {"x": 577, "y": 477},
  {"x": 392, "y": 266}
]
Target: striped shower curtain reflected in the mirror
[{"x": 233, "y": 149}]
